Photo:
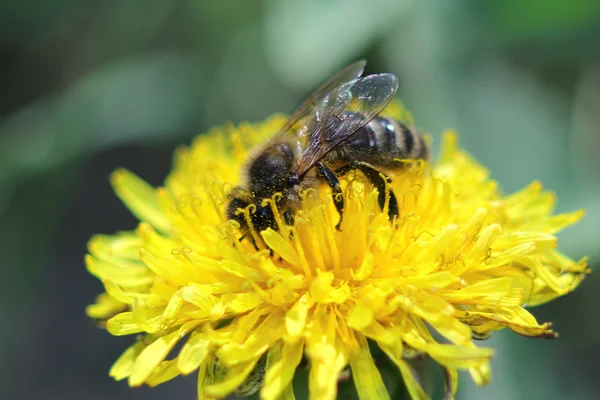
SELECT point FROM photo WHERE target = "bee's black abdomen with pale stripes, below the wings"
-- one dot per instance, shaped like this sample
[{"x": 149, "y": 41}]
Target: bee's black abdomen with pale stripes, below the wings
[{"x": 381, "y": 142}]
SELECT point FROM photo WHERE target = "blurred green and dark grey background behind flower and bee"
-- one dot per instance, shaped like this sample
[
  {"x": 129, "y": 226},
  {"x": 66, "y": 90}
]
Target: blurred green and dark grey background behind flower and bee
[{"x": 88, "y": 86}]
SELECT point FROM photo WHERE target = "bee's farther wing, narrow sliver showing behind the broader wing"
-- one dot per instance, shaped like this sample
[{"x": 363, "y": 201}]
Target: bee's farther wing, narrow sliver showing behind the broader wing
[{"x": 307, "y": 109}]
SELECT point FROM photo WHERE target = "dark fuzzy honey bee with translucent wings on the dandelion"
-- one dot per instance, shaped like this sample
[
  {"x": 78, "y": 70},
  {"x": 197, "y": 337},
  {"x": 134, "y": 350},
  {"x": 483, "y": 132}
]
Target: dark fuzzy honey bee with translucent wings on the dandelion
[{"x": 336, "y": 130}]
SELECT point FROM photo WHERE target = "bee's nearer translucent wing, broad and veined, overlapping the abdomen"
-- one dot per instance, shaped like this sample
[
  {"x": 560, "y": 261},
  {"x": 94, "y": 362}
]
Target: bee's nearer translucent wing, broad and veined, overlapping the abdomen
[{"x": 344, "y": 111}]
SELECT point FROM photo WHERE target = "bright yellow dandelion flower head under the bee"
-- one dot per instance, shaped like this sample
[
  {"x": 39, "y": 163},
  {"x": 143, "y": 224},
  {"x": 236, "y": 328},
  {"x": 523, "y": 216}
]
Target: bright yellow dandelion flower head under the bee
[{"x": 461, "y": 262}]
